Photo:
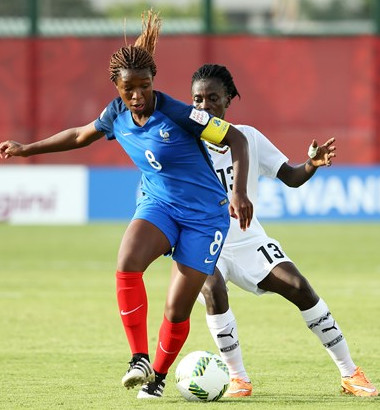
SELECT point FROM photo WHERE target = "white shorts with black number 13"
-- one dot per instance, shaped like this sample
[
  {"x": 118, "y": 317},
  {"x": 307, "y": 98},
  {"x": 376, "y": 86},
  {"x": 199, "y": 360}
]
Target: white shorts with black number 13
[{"x": 248, "y": 264}]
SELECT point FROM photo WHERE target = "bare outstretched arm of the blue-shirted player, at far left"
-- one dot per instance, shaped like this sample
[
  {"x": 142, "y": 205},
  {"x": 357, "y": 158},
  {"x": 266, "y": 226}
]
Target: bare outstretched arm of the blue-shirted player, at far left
[{"x": 66, "y": 140}]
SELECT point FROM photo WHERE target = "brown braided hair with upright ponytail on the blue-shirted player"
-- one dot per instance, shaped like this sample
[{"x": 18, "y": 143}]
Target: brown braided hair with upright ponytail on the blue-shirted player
[{"x": 140, "y": 55}]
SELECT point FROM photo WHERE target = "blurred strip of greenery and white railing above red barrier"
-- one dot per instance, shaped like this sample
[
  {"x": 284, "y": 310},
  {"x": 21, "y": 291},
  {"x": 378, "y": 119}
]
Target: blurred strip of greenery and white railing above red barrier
[{"x": 105, "y": 17}]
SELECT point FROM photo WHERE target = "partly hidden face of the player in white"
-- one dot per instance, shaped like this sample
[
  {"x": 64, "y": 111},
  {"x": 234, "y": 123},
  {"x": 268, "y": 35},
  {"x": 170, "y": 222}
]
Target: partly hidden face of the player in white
[{"x": 210, "y": 95}]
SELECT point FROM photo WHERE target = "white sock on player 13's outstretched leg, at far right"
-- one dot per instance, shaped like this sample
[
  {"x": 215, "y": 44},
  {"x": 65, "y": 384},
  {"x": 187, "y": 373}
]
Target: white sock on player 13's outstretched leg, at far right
[{"x": 320, "y": 321}]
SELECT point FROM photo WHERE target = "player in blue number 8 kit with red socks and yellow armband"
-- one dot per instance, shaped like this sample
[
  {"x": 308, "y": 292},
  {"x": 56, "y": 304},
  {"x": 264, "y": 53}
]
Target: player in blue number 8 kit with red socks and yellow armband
[{"x": 184, "y": 208}]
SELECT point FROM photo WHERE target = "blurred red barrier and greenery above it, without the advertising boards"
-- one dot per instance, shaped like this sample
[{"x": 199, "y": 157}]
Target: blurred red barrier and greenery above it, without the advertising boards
[{"x": 300, "y": 76}]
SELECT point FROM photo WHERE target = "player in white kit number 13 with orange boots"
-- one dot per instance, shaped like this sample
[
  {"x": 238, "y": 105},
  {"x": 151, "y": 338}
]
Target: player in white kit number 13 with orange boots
[{"x": 252, "y": 260}]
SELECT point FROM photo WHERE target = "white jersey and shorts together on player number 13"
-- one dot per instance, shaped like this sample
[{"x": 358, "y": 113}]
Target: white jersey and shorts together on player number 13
[{"x": 236, "y": 262}]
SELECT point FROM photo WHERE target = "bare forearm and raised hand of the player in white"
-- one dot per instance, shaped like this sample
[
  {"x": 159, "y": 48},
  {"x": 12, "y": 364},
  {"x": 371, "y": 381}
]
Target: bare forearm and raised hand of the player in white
[{"x": 295, "y": 176}]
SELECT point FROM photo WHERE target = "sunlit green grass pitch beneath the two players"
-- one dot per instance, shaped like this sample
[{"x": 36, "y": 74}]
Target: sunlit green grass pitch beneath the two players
[{"x": 62, "y": 345}]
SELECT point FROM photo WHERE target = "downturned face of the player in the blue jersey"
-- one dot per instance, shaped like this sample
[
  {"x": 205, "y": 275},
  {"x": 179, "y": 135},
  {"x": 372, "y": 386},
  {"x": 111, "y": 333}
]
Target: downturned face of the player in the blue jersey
[{"x": 135, "y": 88}]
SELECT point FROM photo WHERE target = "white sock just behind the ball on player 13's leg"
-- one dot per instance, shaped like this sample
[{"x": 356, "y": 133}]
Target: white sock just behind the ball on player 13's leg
[{"x": 223, "y": 329}]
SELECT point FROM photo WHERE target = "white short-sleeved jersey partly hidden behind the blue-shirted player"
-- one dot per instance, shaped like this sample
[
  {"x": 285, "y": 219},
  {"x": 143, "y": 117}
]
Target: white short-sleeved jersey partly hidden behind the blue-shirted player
[{"x": 264, "y": 159}]
